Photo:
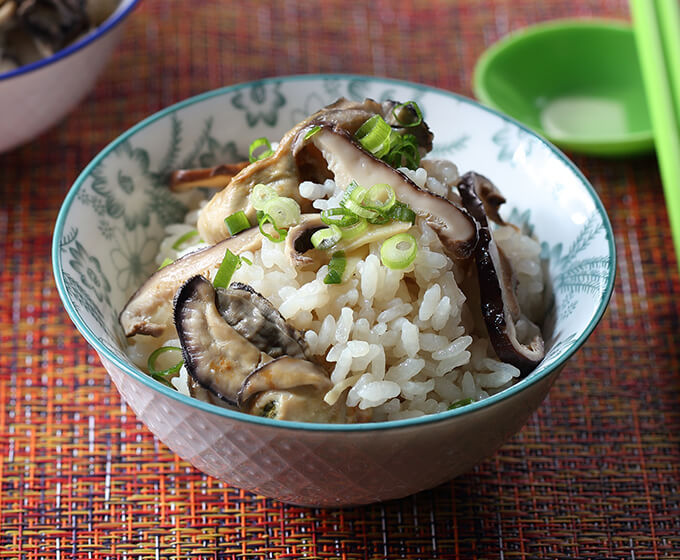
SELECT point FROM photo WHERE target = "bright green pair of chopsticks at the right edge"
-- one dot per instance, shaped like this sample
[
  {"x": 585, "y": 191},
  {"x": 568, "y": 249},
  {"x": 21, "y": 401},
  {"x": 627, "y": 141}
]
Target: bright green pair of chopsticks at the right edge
[{"x": 656, "y": 24}]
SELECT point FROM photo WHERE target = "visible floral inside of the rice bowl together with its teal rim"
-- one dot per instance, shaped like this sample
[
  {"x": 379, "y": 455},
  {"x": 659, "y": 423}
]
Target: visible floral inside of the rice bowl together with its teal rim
[{"x": 111, "y": 223}]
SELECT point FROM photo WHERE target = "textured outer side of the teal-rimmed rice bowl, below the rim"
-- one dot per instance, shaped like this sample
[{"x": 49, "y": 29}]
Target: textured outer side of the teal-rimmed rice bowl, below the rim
[{"x": 319, "y": 468}]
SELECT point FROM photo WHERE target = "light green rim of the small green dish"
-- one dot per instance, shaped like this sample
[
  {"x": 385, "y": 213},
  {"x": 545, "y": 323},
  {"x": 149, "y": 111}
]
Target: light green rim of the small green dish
[{"x": 634, "y": 142}]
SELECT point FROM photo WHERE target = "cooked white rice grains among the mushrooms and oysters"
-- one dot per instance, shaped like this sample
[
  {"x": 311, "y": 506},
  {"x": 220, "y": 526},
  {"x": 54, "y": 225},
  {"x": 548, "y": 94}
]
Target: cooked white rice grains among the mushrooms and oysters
[{"x": 400, "y": 343}]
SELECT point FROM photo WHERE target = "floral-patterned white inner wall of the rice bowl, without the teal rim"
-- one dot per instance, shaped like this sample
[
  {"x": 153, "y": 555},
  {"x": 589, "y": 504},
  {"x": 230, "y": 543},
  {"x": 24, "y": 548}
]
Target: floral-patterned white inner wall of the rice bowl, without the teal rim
[{"x": 114, "y": 225}]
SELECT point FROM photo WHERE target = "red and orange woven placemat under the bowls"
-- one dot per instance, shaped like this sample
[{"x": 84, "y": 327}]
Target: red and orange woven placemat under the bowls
[{"x": 594, "y": 474}]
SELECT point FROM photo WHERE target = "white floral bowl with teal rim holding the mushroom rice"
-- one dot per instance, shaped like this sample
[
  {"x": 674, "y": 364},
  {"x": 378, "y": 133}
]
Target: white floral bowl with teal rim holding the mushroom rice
[{"x": 112, "y": 220}]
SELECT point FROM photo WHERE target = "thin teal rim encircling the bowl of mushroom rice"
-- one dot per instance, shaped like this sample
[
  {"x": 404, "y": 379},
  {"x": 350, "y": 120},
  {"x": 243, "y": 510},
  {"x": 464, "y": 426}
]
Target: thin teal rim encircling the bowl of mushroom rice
[{"x": 138, "y": 375}]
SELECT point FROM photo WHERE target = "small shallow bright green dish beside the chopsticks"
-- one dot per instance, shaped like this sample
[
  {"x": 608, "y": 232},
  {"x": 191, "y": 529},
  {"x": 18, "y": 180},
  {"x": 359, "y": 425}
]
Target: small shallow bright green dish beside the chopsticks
[{"x": 576, "y": 82}]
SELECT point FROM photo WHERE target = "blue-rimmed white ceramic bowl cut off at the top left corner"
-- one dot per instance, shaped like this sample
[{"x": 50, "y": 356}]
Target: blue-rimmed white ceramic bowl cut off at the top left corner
[{"x": 36, "y": 96}]
